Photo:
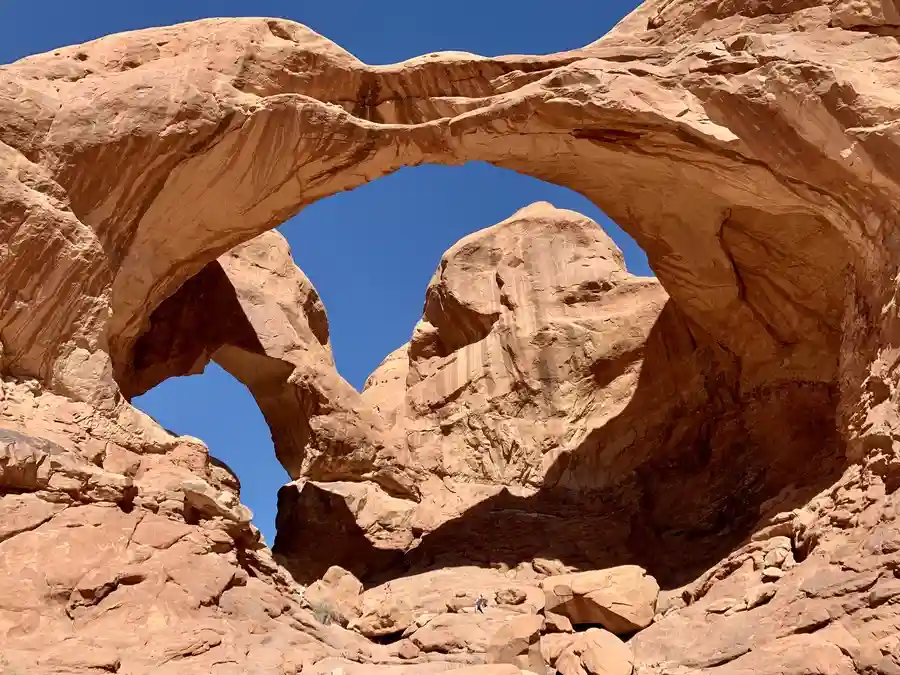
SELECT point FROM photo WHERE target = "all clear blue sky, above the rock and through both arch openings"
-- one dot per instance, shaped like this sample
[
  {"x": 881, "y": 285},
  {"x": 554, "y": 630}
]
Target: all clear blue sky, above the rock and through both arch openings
[{"x": 370, "y": 252}]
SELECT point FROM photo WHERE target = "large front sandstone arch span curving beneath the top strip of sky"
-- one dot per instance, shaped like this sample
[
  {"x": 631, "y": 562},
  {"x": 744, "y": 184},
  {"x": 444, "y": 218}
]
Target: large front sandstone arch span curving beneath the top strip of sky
[{"x": 164, "y": 148}]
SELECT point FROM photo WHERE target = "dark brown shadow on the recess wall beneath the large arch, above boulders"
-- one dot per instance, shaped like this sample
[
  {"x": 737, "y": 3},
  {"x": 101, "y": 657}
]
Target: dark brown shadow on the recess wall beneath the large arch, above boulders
[{"x": 719, "y": 460}]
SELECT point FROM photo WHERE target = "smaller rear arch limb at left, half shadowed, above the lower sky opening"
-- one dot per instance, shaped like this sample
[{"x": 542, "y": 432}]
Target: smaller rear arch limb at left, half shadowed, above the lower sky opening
[{"x": 257, "y": 315}]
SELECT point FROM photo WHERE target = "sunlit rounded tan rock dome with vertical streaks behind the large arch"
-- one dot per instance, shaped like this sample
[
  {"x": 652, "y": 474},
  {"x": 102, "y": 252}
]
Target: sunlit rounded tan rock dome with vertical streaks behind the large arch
[{"x": 516, "y": 317}]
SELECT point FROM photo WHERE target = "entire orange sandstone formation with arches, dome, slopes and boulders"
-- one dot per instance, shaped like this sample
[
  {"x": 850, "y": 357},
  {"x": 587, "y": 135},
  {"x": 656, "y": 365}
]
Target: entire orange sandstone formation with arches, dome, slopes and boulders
[{"x": 692, "y": 474}]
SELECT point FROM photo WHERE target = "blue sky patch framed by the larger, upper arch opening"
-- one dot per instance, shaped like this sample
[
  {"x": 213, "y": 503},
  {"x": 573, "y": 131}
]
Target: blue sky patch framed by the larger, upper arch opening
[{"x": 372, "y": 251}]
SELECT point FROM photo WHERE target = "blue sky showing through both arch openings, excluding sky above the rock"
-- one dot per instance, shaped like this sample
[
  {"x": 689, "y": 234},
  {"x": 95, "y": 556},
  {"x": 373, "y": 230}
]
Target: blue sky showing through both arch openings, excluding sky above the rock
[{"x": 370, "y": 253}]
